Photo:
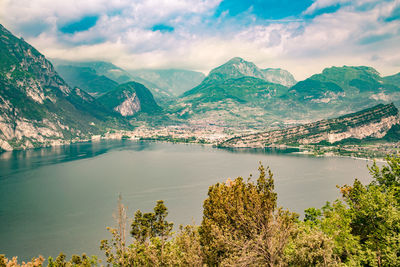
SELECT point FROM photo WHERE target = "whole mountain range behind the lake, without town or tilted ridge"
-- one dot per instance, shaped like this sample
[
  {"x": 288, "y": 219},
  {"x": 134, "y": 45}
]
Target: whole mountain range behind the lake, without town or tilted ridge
[{"x": 41, "y": 104}]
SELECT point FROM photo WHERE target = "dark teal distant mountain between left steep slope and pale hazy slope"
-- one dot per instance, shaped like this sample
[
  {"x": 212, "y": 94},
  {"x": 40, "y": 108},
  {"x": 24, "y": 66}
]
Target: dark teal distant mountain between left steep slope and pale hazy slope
[{"x": 87, "y": 79}]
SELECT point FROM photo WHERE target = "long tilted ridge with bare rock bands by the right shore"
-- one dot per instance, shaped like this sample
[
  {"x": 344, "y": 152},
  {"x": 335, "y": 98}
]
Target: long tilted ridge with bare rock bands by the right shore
[{"x": 374, "y": 122}]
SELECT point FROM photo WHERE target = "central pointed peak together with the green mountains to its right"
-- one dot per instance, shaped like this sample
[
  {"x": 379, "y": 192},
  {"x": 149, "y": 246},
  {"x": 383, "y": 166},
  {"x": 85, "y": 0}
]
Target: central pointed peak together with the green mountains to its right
[{"x": 238, "y": 93}]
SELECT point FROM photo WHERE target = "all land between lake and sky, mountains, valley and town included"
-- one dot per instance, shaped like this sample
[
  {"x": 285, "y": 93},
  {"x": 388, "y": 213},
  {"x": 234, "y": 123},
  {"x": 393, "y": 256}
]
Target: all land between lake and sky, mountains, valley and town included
[{"x": 348, "y": 110}]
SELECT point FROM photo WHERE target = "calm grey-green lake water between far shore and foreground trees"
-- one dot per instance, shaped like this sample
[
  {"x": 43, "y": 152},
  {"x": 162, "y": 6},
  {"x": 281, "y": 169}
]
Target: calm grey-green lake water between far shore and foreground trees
[{"x": 62, "y": 198}]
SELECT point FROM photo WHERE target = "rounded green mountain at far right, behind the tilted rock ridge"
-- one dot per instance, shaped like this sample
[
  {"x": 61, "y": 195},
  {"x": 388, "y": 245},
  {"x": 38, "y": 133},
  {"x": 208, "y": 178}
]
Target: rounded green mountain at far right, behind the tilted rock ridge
[{"x": 336, "y": 91}]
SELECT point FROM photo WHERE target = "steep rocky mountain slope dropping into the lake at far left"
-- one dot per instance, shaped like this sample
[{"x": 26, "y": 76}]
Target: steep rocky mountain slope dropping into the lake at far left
[{"x": 36, "y": 106}]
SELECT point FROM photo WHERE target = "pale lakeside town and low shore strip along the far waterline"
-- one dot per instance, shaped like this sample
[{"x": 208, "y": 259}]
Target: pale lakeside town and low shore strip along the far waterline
[{"x": 213, "y": 135}]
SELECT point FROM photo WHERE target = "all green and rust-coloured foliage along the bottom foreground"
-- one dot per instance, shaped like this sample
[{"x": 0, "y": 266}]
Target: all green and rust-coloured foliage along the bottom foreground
[{"x": 242, "y": 226}]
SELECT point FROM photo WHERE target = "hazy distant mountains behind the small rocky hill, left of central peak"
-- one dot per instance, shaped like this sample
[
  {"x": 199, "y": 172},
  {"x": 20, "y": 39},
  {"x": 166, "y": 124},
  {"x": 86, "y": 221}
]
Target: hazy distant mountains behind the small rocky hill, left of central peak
[{"x": 98, "y": 77}]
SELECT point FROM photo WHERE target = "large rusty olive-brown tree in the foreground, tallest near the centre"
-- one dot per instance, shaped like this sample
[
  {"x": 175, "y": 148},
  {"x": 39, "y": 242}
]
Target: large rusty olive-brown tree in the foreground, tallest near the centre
[{"x": 242, "y": 225}]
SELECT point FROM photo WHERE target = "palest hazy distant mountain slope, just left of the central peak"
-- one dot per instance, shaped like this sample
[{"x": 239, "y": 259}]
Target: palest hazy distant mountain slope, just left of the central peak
[{"x": 176, "y": 81}]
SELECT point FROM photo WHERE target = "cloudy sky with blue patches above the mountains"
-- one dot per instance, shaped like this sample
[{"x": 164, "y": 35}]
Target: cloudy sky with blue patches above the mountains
[{"x": 302, "y": 36}]
